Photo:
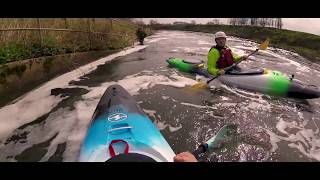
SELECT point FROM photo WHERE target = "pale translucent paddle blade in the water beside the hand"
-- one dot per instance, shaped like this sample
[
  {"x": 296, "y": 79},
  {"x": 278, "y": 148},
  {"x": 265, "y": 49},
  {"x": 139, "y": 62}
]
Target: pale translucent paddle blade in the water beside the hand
[{"x": 216, "y": 141}]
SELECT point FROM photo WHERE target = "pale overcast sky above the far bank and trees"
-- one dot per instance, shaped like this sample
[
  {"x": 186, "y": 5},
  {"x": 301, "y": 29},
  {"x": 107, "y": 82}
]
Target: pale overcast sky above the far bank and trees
[{"x": 309, "y": 25}]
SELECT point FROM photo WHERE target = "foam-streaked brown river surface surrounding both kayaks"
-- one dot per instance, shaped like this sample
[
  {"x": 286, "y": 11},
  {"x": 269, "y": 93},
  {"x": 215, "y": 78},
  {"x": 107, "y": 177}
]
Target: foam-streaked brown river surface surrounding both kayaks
[{"x": 49, "y": 123}]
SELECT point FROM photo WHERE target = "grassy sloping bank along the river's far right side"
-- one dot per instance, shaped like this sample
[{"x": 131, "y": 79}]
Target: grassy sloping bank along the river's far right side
[{"x": 305, "y": 44}]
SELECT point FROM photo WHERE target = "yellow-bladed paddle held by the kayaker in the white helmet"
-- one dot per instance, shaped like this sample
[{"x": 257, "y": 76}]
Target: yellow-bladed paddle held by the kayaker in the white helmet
[{"x": 263, "y": 46}]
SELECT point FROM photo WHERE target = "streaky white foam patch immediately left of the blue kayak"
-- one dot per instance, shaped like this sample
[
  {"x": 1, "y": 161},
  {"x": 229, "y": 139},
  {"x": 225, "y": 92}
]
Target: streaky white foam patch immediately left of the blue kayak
[{"x": 63, "y": 122}]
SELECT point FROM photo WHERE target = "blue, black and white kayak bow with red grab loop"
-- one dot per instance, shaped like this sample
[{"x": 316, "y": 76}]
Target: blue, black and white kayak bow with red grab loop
[{"x": 121, "y": 132}]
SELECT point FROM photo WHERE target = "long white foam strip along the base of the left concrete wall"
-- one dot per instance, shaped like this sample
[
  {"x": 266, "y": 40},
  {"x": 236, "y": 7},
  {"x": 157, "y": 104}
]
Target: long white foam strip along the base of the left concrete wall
[{"x": 39, "y": 101}]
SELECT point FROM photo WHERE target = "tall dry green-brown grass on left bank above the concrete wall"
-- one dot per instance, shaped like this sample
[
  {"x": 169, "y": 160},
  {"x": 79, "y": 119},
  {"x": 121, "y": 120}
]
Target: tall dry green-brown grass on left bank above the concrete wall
[{"x": 19, "y": 45}]
